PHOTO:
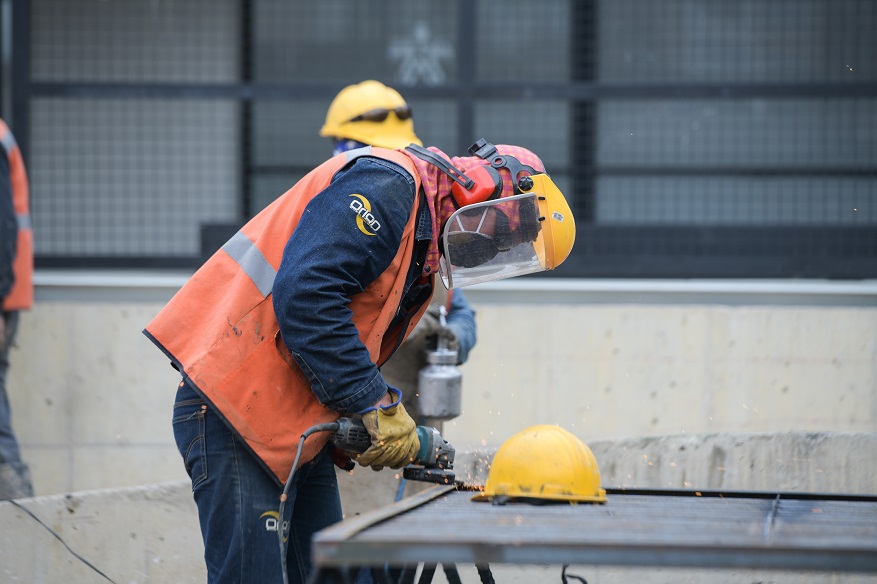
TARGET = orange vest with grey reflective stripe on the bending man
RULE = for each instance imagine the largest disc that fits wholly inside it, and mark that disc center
(220, 329)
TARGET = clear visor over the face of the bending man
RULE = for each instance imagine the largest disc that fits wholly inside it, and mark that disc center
(493, 240)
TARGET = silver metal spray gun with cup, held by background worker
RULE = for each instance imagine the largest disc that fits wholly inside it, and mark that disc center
(440, 381)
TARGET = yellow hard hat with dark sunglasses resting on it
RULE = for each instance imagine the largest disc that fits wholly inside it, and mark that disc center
(371, 113)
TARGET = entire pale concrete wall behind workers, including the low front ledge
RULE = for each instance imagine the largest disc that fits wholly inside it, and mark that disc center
(710, 385)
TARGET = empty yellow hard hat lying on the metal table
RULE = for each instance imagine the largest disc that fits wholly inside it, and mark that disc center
(545, 463)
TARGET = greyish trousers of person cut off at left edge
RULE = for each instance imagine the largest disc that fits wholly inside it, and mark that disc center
(14, 474)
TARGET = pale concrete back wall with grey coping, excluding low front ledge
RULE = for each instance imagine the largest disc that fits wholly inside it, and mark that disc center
(92, 397)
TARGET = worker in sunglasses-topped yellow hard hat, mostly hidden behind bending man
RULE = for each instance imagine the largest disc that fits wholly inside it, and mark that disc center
(372, 114)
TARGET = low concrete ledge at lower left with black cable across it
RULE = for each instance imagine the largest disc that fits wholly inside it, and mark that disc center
(133, 535)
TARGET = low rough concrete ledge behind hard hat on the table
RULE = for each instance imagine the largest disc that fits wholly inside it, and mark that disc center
(818, 462)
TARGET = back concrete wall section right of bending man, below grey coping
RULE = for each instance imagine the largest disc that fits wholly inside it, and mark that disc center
(617, 371)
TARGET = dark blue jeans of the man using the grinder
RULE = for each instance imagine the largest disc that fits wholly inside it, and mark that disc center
(238, 500)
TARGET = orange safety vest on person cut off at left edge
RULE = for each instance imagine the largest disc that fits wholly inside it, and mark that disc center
(20, 297)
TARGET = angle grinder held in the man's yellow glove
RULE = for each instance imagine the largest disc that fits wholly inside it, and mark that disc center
(433, 463)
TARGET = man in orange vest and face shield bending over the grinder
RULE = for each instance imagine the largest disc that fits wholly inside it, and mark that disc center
(286, 327)
